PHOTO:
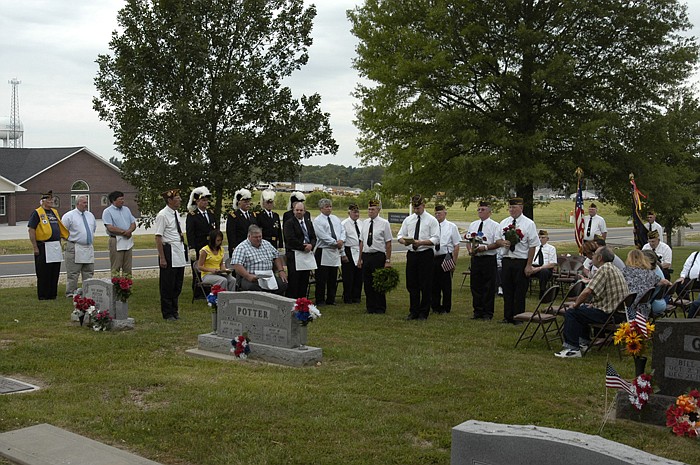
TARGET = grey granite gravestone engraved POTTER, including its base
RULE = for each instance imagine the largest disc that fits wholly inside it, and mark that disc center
(275, 335)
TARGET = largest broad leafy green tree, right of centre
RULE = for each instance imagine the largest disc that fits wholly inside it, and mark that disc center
(482, 98)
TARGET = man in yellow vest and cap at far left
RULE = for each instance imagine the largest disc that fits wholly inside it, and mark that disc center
(45, 233)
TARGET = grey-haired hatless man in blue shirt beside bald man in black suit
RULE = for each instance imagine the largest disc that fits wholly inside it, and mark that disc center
(330, 243)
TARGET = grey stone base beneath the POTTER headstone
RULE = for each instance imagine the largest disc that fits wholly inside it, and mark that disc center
(217, 346)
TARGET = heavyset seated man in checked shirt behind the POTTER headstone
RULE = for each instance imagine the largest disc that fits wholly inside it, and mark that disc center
(253, 262)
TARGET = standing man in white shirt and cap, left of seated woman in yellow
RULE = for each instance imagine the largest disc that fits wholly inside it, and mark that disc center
(171, 254)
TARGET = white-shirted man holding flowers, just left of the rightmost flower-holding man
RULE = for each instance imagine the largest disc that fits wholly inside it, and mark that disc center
(481, 243)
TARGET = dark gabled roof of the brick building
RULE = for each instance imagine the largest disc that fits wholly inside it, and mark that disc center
(21, 165)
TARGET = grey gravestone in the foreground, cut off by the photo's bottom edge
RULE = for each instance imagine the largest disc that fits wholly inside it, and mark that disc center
(483, 443)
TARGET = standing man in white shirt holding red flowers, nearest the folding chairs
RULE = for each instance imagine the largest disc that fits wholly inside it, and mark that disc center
(519, 240)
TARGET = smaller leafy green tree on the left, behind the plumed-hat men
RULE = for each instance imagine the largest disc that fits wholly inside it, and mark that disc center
(193, 94)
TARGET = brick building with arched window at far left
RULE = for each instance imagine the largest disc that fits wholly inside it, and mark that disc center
(67, 171)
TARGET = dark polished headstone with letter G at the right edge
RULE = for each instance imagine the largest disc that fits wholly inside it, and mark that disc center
(676, 355)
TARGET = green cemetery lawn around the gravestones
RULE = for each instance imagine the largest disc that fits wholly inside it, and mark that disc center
(387, 392)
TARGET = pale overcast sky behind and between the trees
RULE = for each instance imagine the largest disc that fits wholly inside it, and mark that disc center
(51, 47)
